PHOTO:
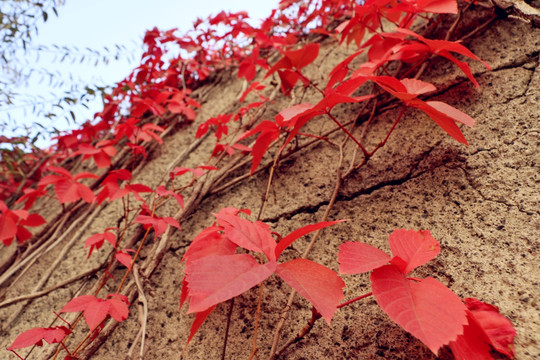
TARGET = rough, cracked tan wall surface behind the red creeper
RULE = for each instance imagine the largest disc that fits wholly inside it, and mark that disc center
(481, 202)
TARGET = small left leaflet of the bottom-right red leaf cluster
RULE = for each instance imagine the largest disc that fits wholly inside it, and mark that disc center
(357, 258)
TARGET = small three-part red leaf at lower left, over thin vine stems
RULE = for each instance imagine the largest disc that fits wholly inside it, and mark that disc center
(96, 309)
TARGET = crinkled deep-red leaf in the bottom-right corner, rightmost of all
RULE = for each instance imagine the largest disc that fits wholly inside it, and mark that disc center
(497, 327)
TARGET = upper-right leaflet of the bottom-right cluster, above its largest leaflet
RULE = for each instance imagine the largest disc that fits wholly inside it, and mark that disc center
(415, 248)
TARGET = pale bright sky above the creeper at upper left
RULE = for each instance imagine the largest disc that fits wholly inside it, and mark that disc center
(104, 23)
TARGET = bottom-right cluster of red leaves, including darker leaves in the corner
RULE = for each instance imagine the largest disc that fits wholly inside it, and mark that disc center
(425, 307)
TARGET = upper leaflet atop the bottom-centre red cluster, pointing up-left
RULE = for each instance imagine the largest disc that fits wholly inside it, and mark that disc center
(251, 236)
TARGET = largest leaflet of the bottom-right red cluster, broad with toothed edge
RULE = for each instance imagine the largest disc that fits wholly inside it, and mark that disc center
(424, 307)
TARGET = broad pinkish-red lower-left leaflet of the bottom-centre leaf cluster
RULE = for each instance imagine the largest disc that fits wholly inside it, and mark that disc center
(214, 279)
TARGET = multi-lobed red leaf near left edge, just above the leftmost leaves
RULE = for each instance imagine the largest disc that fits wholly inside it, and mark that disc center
(67, 187)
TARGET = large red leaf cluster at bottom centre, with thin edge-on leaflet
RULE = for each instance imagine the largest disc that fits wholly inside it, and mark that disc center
(215, 273)
